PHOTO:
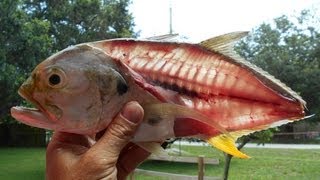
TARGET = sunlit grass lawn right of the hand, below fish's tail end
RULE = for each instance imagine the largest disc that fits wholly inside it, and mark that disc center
(264, 164)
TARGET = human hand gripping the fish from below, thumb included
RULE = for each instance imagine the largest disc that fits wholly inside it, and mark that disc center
(73, 156)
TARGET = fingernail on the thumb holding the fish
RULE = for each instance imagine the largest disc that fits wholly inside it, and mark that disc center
(133, 112)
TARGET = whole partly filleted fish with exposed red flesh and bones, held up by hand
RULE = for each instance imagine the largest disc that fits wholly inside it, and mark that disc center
(202, 90)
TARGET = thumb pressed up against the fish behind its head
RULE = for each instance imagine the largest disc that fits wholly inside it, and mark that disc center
(120, 130)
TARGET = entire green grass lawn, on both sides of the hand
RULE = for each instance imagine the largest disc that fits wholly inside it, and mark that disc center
(29, 163)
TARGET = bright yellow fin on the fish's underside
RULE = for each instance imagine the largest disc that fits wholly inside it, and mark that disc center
(227, 145)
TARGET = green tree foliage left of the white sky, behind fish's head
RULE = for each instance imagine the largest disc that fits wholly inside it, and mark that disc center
(31, 30)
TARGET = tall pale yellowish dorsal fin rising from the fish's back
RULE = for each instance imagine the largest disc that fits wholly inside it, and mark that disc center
(223, 43)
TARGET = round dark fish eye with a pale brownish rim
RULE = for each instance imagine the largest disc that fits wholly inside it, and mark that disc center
(56, 78)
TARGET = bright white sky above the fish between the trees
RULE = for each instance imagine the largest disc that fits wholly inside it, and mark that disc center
(201, 19)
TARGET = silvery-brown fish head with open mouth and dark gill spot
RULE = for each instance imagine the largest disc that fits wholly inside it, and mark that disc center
(69, 90)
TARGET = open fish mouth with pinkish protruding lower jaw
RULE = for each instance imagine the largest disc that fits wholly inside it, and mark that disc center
(37, 117)
